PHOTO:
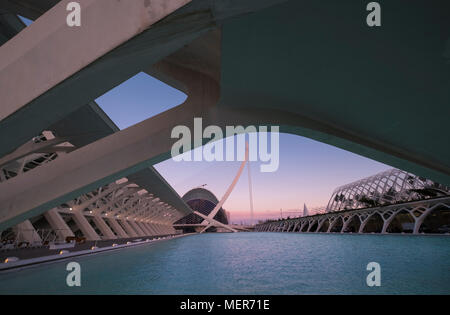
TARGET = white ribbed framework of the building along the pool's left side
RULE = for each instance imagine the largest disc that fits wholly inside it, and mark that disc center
(120, 209)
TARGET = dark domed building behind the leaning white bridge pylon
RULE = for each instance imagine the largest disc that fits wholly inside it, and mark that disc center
(203, 201)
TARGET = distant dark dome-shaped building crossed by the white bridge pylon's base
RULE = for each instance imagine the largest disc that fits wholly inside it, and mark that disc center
(203, 201)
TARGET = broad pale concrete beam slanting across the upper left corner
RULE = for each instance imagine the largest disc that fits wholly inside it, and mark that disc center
(47, 53)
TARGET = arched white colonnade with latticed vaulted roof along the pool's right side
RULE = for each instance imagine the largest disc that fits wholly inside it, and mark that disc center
(390, 202)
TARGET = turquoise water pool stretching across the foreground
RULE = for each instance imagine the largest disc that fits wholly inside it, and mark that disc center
(252, 263)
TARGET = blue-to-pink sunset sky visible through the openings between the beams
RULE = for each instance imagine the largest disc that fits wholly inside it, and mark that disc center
(308, 172)
